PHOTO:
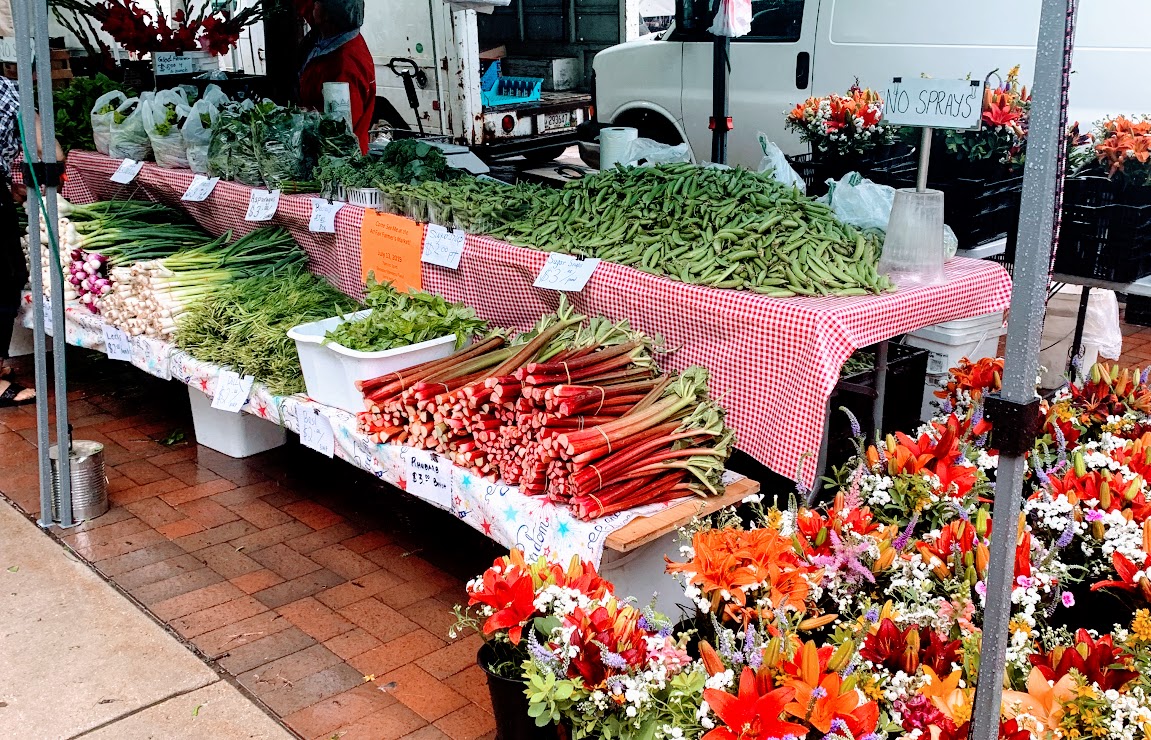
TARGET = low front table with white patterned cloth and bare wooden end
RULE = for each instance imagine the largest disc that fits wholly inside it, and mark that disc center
(629, 547)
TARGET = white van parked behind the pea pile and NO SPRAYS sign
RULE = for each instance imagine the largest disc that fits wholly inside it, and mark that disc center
(797, 49)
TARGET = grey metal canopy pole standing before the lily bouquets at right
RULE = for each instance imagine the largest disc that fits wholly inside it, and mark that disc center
(1042, 197)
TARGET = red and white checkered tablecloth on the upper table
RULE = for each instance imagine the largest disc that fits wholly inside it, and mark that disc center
(774, 362)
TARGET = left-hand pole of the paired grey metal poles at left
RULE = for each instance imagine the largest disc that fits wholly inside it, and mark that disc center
(22, 20)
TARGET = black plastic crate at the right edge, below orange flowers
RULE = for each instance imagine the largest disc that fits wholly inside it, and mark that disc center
(1103, 237)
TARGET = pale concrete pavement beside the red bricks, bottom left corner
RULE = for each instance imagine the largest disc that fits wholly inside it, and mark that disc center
(79, 660)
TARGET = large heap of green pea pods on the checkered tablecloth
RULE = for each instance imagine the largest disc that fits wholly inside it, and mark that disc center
(725, 228)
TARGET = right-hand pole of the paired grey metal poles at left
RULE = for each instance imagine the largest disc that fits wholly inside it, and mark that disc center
(59, 360)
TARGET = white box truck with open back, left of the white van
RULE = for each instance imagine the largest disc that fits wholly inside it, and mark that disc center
(438, 45)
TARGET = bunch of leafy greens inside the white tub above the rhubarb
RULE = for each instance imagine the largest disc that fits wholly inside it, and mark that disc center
(401, 319)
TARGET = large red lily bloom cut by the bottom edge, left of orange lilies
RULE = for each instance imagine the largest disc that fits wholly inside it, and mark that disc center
(751, 716)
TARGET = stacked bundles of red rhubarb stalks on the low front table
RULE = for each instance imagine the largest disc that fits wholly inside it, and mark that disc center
(575, 410)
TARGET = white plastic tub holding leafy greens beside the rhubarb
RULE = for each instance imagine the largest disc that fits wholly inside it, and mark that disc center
(331, 371)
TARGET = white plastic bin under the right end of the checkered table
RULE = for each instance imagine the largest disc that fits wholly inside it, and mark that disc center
(950, 342)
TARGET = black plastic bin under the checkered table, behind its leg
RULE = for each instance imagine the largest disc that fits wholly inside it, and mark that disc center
(908, 369)
